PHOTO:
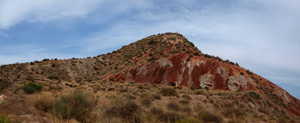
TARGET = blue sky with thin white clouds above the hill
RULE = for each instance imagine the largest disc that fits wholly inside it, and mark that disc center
(261, 35)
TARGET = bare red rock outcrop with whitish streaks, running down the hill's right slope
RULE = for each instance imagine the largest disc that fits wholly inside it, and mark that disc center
(199, 71)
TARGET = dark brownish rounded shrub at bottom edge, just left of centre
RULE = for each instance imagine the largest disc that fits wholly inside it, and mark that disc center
(129, 111)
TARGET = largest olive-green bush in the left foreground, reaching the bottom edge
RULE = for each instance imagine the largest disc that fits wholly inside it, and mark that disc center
(76, 105)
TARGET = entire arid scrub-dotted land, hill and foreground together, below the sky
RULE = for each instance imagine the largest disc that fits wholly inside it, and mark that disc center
(160, 78)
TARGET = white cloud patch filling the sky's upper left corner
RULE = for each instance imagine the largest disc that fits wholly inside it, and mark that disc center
(13, 12)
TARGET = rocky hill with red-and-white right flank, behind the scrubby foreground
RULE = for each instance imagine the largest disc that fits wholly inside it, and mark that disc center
(167, 59)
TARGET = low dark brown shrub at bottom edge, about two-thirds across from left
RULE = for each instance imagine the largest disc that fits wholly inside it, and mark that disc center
(209, 117)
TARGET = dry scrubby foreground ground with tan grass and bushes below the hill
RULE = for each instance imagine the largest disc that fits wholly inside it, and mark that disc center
(109, 102)
